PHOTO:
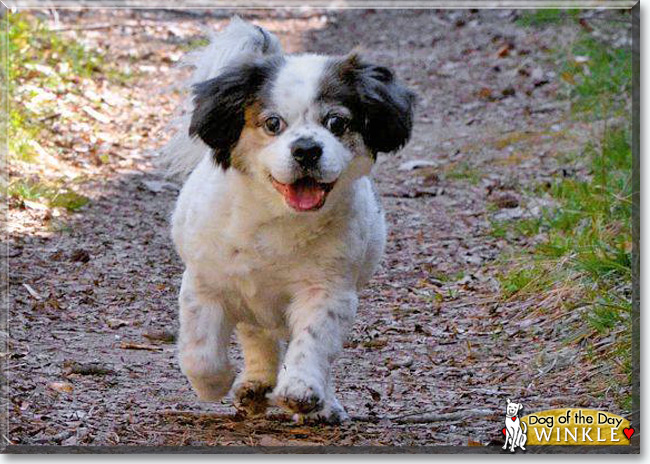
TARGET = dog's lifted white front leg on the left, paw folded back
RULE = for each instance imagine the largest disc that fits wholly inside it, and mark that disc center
(203, 344)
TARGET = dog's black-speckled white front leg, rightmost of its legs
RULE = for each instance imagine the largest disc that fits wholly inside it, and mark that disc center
(319, 321)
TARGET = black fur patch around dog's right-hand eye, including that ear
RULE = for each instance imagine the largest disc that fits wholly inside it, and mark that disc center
(382, 108)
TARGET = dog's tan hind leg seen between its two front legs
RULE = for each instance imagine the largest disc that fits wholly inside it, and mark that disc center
(261, 354)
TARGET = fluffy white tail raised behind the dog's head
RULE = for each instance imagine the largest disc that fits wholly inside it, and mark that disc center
(239, 41)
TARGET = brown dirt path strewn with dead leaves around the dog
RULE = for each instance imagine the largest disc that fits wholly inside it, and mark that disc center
(433, 335)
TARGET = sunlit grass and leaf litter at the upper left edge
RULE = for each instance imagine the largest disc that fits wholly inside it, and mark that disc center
(43, 68)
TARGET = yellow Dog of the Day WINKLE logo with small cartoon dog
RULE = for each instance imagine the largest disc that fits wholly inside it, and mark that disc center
(564, 426)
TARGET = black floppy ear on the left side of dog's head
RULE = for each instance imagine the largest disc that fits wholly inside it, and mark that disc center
(220, 104)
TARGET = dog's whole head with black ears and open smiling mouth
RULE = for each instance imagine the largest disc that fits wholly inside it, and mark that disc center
(302, 126)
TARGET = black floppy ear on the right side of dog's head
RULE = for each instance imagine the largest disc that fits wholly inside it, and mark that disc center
(386, 105)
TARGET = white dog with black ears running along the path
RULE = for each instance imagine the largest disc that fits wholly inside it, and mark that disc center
(278, 224)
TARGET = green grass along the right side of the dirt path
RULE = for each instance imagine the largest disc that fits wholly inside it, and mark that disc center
(580, 258)
